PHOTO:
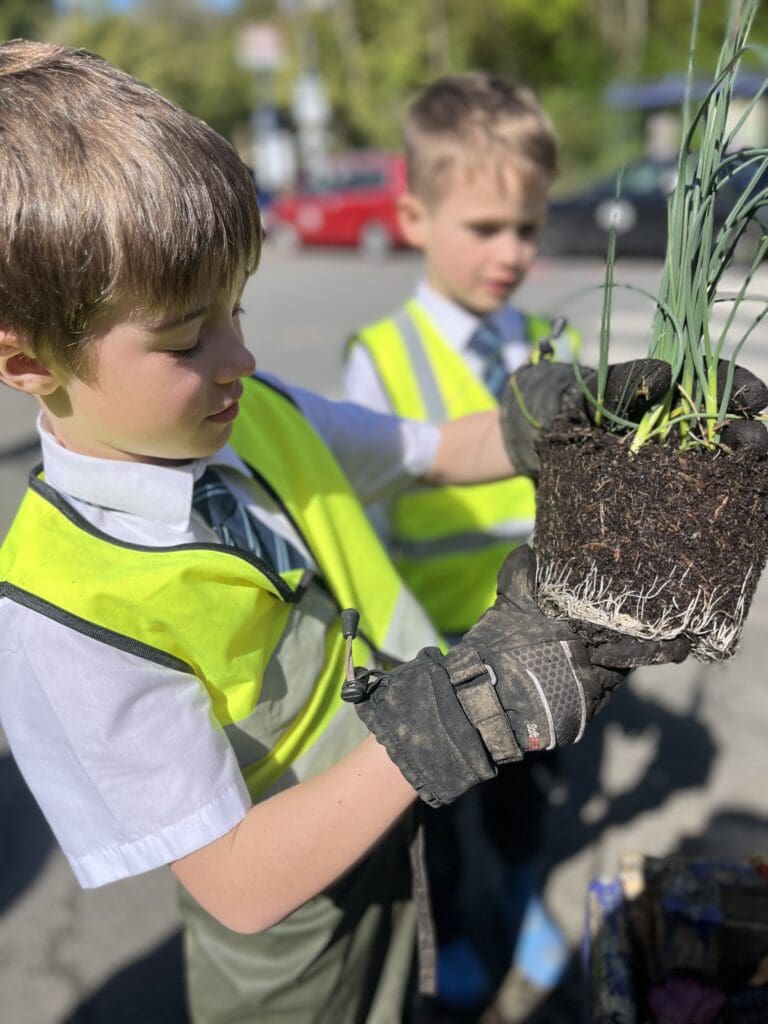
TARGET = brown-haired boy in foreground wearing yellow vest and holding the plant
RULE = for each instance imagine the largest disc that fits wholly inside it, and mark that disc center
(174, 582)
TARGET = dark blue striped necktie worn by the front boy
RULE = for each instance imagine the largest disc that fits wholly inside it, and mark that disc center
(237, 528)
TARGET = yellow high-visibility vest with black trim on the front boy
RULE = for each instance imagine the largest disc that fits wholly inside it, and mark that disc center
(268, 648)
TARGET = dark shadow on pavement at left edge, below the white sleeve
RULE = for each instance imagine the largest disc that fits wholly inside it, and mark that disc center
(26, 839)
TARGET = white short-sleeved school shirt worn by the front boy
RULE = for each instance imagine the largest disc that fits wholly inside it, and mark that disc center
(124, 756)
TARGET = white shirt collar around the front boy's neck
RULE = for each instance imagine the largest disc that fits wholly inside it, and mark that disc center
(160, 493)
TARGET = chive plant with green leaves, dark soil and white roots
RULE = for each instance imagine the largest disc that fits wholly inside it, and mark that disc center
(591, 574)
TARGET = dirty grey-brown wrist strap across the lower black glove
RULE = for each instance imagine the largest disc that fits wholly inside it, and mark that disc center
(475, 685)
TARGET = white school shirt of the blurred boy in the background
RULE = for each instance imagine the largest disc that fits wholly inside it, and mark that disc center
(457, 325)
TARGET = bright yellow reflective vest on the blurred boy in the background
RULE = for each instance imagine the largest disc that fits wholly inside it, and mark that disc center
(449, 543)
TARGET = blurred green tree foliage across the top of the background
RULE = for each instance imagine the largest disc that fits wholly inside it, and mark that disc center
(374, 55)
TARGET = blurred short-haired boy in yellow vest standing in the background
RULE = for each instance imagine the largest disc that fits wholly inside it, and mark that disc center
(482, 157)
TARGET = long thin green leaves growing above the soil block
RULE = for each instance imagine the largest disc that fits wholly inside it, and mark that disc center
(699, 253)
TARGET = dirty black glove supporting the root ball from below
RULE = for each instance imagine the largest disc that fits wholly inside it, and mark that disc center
(519, 681)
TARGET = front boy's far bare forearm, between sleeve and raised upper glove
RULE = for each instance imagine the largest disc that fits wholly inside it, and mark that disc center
(472, 451)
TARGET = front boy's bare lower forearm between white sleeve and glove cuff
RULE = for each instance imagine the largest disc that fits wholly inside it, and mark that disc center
(294, 845)
